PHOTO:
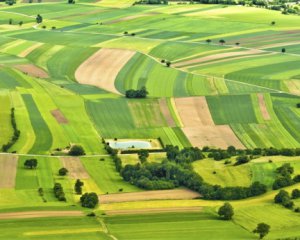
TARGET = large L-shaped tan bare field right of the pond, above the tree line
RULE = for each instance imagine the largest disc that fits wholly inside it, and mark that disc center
(199, 126)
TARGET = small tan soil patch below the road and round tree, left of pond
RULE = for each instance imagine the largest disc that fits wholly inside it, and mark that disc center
(75, 167)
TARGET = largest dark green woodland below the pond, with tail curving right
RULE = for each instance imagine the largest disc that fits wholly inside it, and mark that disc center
(177, 171)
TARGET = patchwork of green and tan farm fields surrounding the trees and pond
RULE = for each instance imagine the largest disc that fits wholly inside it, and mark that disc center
(66, 79)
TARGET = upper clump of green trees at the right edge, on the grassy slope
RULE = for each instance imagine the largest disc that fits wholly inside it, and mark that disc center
(284, 177)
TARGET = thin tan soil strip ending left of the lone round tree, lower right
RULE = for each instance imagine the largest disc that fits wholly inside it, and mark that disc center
(153, 210)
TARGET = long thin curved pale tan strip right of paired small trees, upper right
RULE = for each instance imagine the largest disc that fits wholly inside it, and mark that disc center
(216, 57)
